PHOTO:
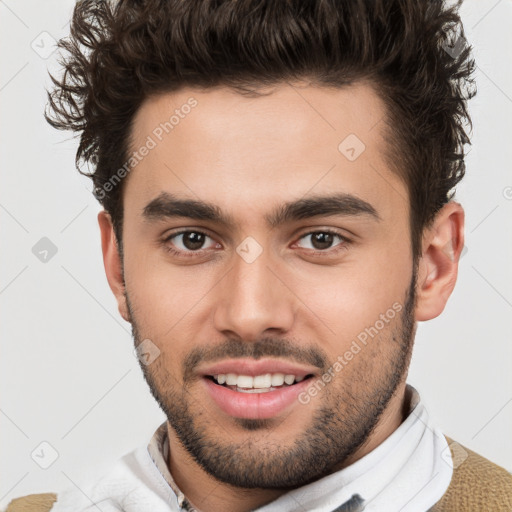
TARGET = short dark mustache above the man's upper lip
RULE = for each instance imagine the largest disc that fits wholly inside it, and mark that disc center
(266, 347)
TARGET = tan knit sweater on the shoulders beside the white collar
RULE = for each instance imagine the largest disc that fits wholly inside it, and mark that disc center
(477, 485)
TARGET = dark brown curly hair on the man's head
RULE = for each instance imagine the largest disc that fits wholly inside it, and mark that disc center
(413, 51)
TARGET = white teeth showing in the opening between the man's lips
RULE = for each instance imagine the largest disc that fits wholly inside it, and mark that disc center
(258, 384)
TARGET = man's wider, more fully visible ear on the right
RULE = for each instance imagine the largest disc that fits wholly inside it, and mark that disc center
(442, 245)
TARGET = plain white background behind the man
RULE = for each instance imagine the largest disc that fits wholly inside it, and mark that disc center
(67, 371)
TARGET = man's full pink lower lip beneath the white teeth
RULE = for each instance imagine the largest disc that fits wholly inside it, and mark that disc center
(254, 405)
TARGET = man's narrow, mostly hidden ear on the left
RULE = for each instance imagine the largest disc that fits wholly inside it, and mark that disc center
(112, 262)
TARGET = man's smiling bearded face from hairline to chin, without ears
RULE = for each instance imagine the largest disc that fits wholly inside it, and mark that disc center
(256, 292)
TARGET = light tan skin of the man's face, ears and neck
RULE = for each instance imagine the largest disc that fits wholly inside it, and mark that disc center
(249, 156)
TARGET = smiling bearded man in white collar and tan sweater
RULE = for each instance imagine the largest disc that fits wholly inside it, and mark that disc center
(277, 181)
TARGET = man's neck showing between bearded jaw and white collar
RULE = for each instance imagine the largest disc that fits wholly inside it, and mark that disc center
(204, 491)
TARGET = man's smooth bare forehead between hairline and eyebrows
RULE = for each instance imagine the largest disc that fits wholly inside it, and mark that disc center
(219, 146)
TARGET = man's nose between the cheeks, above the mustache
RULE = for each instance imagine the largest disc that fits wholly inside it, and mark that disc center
(253, 301)
